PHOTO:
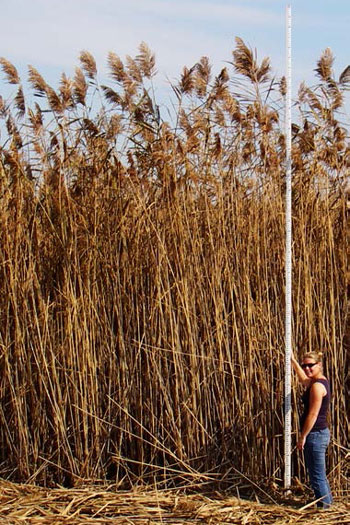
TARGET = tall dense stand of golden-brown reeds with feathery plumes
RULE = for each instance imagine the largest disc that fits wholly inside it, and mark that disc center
(142, 271)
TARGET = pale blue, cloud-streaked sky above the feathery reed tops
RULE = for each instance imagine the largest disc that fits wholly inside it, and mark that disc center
(49, 34)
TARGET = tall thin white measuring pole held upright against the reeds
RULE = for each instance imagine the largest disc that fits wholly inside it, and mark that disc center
(288, 268)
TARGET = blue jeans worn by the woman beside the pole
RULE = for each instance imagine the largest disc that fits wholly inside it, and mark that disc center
(315, 459)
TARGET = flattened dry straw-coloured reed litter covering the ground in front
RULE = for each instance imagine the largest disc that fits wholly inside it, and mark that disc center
(28, 504)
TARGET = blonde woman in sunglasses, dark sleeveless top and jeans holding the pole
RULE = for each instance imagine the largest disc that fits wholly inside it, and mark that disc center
(314, 434)
